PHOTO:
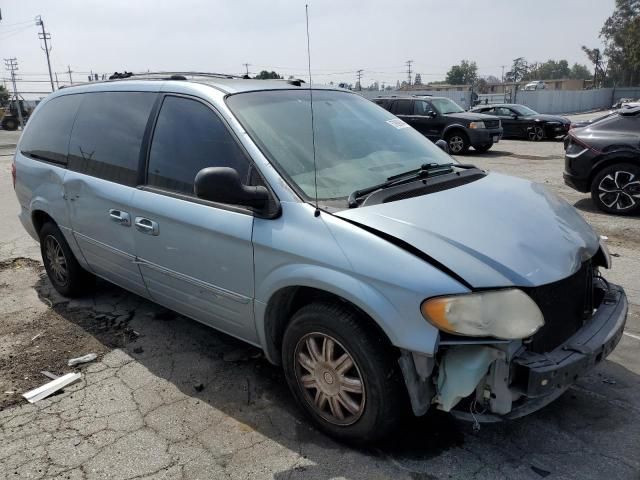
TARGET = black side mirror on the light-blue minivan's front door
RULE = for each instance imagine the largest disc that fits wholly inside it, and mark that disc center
(223, 185)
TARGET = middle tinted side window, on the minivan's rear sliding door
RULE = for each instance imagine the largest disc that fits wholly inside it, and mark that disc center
(107, 135)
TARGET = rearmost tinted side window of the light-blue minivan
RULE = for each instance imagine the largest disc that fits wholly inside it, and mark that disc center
(47, 137)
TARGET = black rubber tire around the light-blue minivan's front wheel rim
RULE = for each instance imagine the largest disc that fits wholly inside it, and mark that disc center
(364, 429)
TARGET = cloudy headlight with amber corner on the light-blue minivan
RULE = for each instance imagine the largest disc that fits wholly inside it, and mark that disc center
(506, 314)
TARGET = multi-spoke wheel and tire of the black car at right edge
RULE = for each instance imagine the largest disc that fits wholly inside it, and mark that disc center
(616, 189)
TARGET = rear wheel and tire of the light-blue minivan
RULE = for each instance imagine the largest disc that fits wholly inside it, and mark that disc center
(64, 271)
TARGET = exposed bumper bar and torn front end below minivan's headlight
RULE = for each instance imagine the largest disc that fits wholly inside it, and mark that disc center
(491, 379)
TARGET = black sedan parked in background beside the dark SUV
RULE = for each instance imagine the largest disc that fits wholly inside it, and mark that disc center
(520, 121)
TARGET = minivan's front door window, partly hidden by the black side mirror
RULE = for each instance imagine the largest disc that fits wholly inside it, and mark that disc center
(188, 137)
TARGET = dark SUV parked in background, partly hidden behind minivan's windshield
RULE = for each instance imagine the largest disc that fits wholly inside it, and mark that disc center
(439, 117)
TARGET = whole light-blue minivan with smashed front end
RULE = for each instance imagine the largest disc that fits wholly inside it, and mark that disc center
(378, 271)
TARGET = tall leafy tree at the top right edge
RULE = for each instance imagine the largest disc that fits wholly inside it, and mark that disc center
(621, 34)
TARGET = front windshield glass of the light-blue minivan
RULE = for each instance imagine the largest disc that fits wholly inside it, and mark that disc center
(358, 144)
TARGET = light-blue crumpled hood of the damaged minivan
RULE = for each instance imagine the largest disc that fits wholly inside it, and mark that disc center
(495, 232)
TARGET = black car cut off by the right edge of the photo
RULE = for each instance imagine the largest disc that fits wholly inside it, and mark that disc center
(604, 158)
